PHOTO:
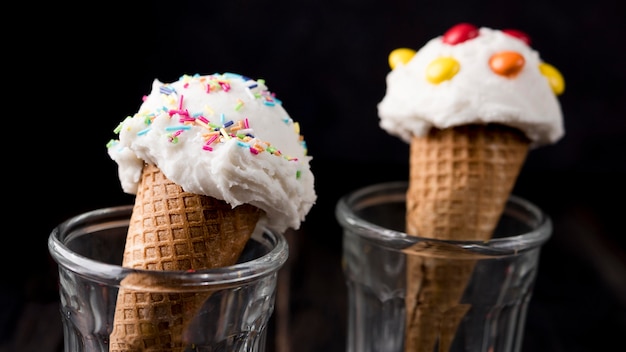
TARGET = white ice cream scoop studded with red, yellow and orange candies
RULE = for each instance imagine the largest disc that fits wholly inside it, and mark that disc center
(473, 75)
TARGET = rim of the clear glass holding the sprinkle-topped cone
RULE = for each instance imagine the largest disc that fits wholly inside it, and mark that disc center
(96, 270)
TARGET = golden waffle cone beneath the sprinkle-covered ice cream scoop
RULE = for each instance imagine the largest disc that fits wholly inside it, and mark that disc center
(171, 229)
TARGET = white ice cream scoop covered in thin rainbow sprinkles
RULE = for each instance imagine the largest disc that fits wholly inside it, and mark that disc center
(221, 135)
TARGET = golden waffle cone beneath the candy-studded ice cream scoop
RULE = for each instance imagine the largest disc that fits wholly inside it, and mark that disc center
(460, 180)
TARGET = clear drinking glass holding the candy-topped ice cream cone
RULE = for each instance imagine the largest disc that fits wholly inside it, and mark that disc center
(375, 251)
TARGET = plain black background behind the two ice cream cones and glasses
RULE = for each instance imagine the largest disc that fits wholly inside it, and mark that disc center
(73, 72)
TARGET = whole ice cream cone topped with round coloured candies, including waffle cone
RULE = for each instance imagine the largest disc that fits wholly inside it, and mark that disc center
(471, 103)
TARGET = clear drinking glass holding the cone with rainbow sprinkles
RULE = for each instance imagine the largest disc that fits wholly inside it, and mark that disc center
(88, 249)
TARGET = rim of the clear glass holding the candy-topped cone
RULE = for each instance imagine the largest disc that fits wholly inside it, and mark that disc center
(386, 237)
